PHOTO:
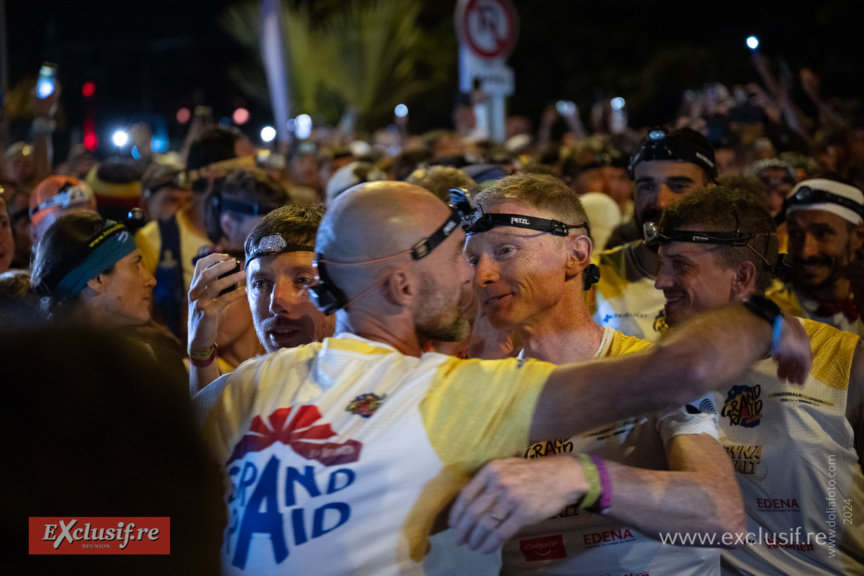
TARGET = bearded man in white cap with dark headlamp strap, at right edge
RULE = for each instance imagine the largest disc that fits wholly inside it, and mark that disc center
(824, 222)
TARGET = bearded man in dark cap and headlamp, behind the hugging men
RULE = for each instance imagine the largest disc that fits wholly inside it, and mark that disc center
(668, 167)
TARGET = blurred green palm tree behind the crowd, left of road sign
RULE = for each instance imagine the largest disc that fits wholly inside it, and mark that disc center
(365, 55)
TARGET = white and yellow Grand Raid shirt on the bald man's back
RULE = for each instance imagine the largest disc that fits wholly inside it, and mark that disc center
(341, 457)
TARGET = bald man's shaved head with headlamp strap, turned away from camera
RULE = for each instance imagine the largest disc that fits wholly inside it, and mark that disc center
(376, 225)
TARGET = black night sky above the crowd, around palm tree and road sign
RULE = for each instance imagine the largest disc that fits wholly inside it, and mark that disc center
(156, 56)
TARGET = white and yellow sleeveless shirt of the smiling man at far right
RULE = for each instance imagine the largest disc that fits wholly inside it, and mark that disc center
(794, 455)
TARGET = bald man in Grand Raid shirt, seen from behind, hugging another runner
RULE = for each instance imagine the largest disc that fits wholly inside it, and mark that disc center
(341, 456)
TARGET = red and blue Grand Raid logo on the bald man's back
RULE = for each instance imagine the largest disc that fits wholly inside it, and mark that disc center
(264, 500)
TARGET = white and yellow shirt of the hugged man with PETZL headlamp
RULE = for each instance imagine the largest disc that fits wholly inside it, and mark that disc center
(576, 542)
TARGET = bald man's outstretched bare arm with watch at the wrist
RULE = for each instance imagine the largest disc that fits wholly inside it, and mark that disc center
(702, 354)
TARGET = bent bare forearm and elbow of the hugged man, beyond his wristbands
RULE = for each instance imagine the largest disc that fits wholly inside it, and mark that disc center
(698, 495)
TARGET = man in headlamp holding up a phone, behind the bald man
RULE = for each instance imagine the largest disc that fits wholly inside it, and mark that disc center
(278, 269)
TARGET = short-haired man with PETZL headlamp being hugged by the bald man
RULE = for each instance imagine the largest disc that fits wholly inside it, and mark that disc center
(530, 273)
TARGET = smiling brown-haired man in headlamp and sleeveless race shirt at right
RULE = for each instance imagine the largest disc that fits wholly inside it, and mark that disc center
(796, 449)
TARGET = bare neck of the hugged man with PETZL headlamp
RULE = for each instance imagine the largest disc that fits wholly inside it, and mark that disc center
(562, 336)
